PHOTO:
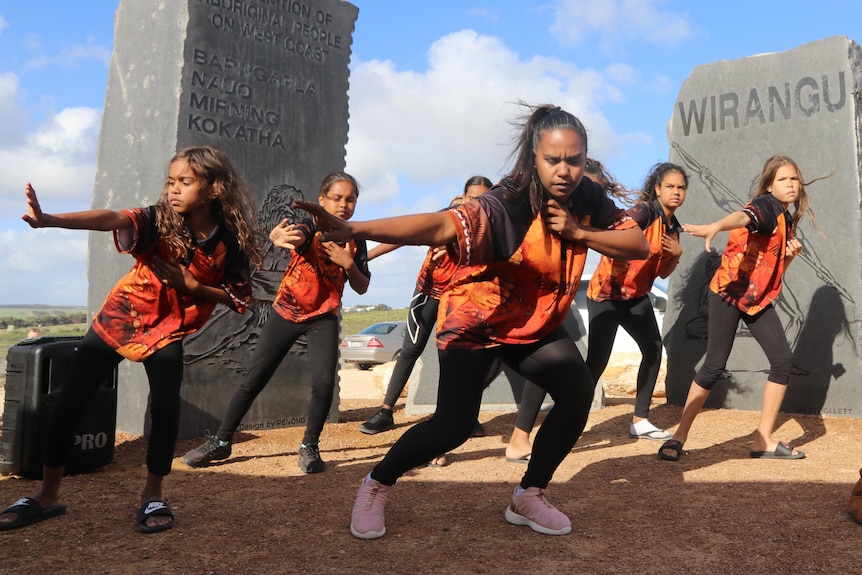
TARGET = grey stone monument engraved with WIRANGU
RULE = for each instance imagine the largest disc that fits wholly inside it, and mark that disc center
(729, 117)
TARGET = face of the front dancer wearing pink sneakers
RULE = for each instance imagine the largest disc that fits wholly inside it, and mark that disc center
(560, 159)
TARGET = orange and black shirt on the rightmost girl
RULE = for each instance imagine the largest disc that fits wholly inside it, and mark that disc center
(752, 265)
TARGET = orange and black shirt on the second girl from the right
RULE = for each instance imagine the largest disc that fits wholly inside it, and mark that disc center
(621, 280)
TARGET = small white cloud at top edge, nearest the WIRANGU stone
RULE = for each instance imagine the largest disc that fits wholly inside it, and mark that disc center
(614, 24)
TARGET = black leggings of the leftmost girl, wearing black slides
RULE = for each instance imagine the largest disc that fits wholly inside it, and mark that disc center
(94, 361)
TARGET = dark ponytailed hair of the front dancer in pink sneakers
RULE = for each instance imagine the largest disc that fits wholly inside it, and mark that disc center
(533, 123)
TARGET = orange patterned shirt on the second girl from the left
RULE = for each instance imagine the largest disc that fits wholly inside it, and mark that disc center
(312, 284)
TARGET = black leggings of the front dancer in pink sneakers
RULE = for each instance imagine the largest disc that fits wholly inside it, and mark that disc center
(554, 363)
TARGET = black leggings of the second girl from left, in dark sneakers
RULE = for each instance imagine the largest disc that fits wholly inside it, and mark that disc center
(276, 338)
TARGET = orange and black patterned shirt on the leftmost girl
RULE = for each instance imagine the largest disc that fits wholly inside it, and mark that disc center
(141, 315)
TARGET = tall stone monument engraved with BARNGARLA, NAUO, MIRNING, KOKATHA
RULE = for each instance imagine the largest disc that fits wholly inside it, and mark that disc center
(266, 82)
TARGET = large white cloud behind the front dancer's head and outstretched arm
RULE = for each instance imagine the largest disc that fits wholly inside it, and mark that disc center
(453, 120)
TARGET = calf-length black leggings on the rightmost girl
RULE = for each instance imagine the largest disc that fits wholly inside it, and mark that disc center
(766, 329)
